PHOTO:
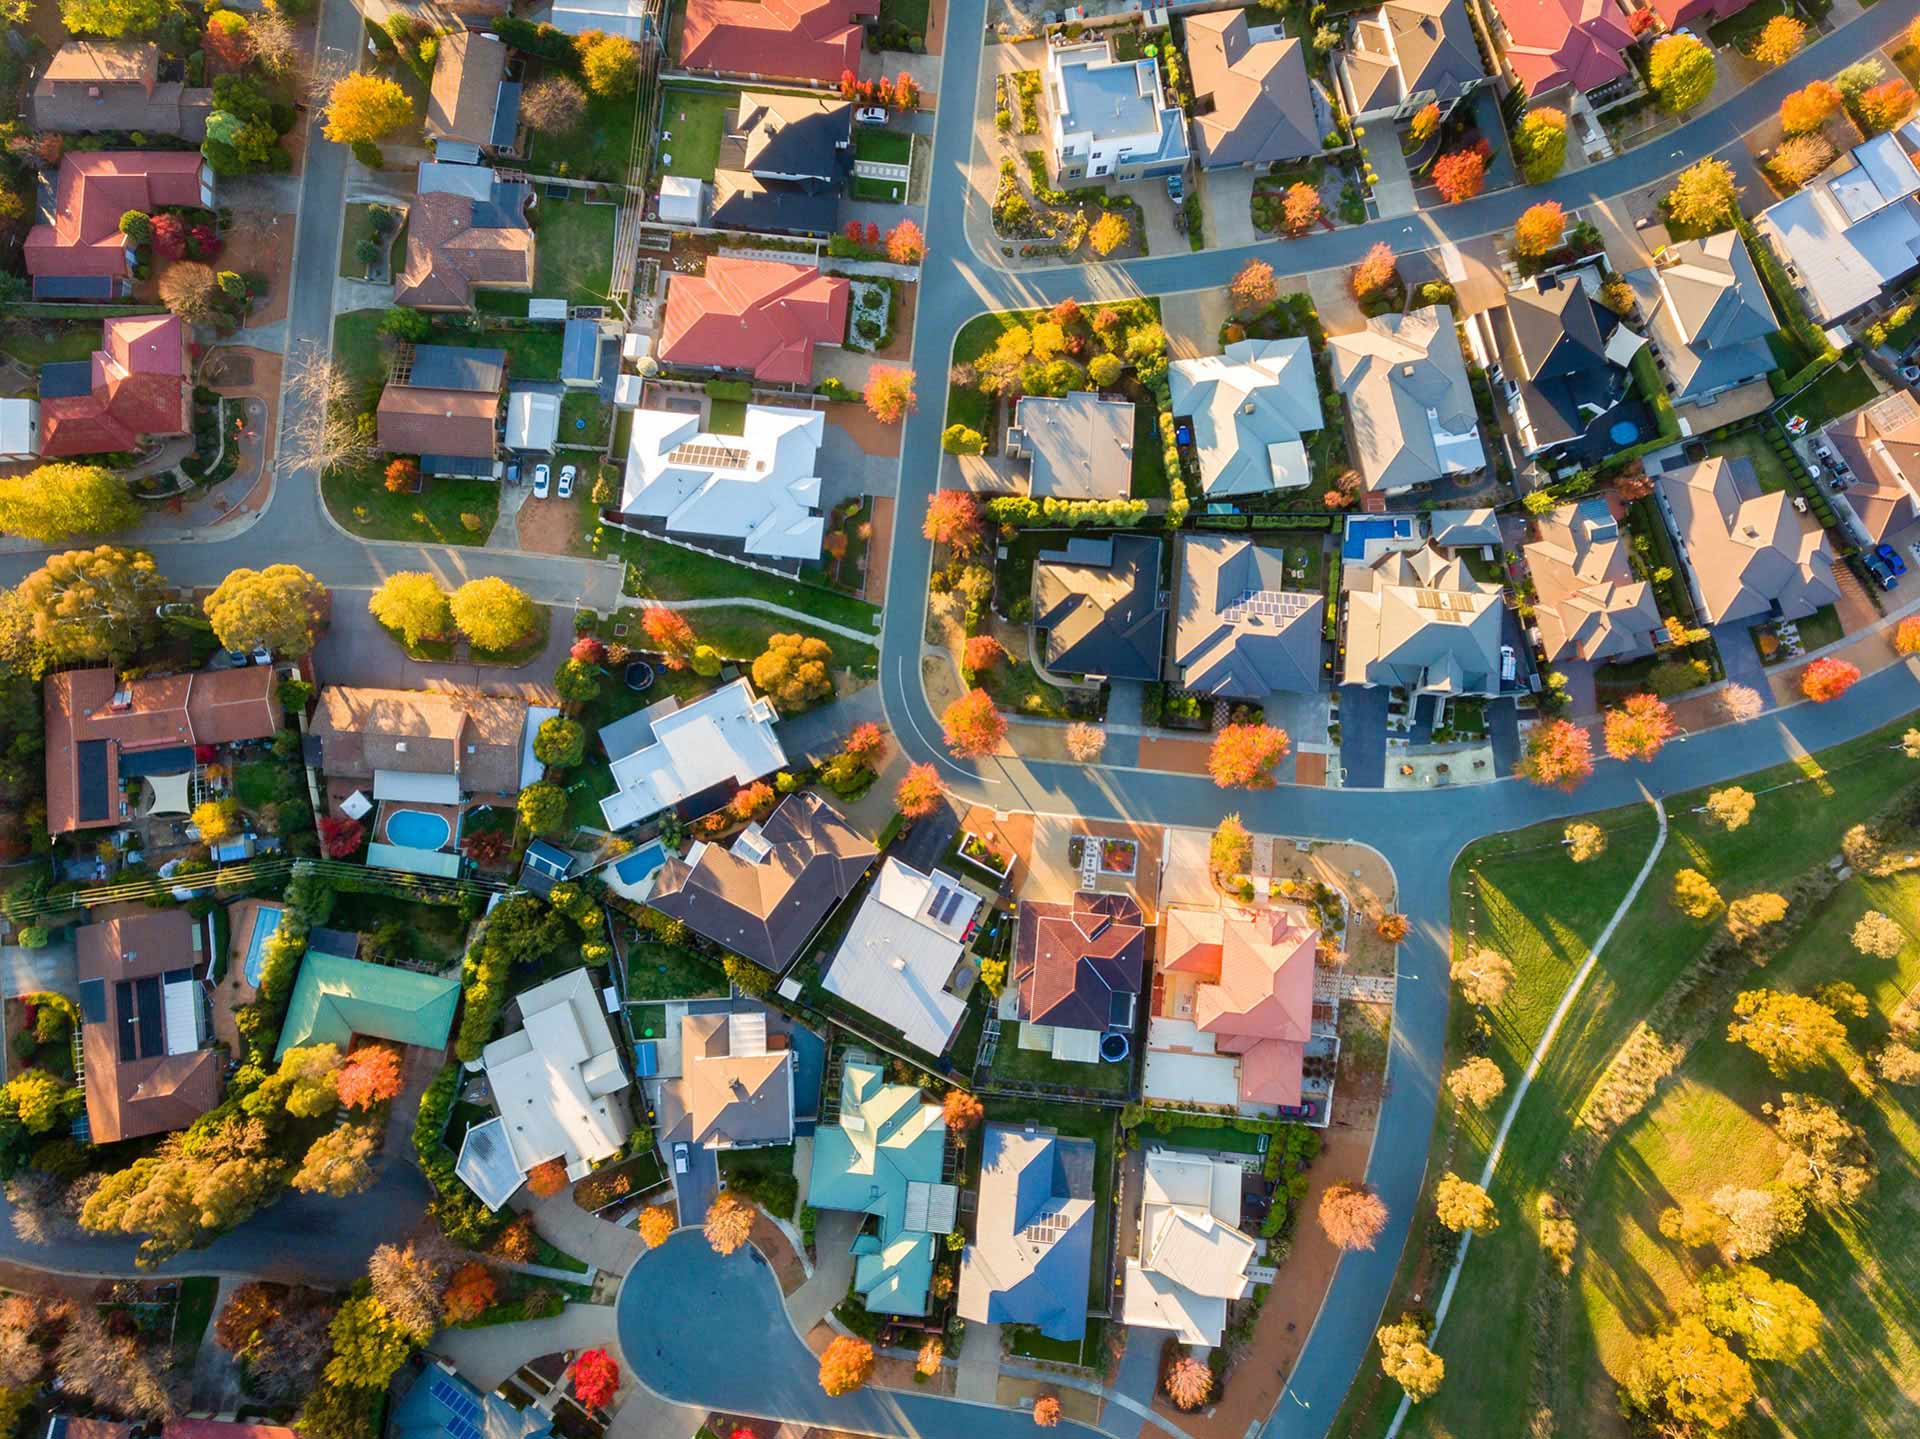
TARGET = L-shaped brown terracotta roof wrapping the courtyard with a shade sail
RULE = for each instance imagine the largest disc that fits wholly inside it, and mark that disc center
(208, 708)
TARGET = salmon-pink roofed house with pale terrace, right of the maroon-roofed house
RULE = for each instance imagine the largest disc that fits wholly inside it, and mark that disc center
(1234, 1008)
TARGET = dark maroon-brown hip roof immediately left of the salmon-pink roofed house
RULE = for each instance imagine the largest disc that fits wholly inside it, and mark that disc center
(1072, 960)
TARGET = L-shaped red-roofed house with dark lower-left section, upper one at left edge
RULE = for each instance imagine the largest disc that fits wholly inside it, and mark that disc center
(78, 251)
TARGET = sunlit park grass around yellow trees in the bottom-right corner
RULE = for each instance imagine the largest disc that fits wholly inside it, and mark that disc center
(1706, 1131)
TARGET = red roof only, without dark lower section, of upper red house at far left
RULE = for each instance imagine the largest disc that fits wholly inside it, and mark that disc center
(93, 193)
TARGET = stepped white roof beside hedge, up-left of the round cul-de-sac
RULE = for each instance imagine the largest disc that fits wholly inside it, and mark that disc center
(542, 1077)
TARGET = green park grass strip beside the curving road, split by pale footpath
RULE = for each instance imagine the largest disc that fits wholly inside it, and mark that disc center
(1520, 894)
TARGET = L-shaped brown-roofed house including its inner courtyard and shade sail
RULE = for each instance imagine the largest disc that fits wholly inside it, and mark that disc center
(103, 735)
